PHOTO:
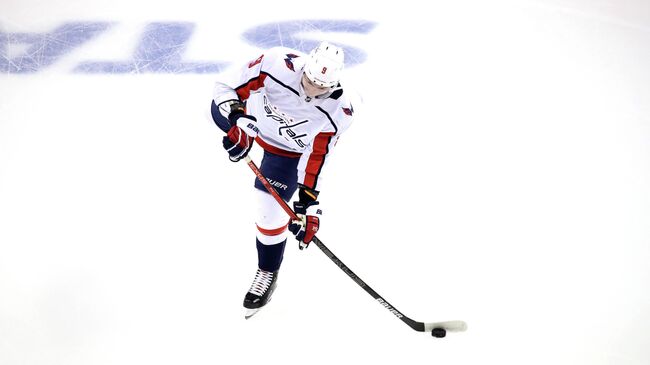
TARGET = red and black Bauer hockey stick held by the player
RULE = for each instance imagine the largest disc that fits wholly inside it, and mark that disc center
(437, 329)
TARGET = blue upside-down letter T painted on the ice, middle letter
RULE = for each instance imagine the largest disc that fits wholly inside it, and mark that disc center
(160, 50)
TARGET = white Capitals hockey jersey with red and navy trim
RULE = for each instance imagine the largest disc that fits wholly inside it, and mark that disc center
(290, 123)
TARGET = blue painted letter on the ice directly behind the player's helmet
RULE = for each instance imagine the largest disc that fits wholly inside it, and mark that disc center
(292, 34)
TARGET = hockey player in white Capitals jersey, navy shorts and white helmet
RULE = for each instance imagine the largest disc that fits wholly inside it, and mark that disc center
(293, 106)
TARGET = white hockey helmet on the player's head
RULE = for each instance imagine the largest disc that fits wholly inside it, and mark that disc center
(324, 65)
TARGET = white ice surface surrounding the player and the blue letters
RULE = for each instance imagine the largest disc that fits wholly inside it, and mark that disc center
(499, 173)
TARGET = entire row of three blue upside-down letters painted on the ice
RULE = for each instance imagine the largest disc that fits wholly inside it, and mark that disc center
(161, 46)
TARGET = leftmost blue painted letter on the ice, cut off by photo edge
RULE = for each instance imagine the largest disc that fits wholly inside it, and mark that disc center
(44, 49)
